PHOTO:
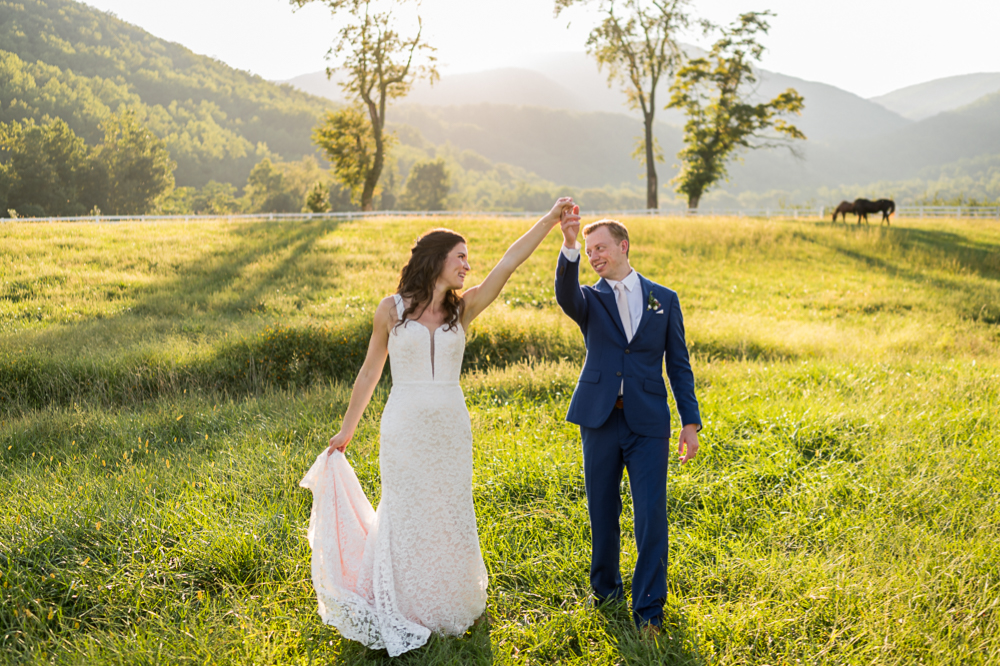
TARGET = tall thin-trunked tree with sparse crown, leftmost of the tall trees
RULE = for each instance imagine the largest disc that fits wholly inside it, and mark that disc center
(378, 65)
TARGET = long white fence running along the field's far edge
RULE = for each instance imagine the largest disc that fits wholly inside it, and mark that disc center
(821, 212)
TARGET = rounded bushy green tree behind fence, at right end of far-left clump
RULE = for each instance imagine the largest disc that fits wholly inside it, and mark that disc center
(136, 163)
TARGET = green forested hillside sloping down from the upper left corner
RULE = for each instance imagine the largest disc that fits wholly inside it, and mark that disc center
(67, 60)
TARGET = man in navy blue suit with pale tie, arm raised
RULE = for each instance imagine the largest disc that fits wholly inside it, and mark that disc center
(629, 325)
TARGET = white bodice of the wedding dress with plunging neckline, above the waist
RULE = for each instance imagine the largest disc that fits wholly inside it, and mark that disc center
(417, 354)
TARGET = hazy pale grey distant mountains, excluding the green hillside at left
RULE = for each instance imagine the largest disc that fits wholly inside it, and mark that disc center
(519, 114)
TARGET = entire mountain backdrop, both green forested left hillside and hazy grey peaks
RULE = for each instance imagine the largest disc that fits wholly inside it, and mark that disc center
(554, 118)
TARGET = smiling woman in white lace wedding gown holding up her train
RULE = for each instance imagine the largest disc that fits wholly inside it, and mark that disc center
(388, 578)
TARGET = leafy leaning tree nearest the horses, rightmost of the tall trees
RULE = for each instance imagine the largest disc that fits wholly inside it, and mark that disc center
(714, 94)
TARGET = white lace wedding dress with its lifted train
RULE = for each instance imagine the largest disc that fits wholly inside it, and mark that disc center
(388, 578)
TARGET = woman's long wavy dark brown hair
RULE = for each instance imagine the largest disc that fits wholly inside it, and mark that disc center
(417, 280)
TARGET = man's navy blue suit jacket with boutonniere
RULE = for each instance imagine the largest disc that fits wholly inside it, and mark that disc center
(612, 359)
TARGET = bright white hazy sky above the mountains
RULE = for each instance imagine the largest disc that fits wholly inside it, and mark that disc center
(868, 47)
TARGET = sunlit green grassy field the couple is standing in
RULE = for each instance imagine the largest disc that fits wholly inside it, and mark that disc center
(164, 387)
